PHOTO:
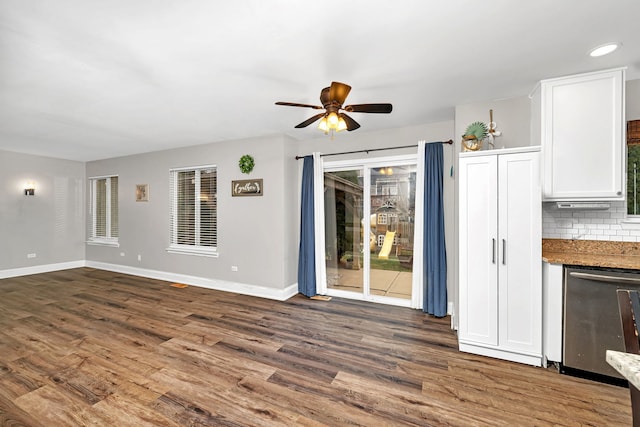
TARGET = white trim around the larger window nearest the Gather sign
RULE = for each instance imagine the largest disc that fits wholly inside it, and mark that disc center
(177, 248)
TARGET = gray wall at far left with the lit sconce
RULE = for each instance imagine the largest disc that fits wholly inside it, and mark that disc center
(50, 224)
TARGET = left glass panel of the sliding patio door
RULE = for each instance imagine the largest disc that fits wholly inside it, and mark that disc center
(343, 204)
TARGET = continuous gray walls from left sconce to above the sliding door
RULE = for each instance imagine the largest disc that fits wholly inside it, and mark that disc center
(259, 235)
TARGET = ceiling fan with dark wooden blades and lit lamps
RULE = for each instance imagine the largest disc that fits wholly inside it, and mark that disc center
(334, 118)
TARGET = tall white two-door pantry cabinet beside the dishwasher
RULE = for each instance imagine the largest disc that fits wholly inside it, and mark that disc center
(500, 239)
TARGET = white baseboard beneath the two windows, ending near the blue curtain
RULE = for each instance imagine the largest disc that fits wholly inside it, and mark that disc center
(219, 285)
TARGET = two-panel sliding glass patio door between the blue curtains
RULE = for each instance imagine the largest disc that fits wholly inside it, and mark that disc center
(369, 231)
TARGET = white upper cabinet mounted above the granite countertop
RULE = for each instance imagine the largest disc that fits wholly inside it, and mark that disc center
(579, 121)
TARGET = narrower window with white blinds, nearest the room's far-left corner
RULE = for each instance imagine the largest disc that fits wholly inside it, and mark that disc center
(103, 210)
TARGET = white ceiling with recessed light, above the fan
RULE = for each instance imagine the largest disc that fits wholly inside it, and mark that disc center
(91, 79)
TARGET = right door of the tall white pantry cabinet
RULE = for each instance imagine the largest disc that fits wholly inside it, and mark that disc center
(520, 244)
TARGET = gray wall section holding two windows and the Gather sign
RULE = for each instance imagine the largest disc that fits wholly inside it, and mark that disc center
(254, 233)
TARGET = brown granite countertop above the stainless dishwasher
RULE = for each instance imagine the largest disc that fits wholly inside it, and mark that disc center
(592, 253)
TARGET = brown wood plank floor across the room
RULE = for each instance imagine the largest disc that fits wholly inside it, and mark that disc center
(90, 347)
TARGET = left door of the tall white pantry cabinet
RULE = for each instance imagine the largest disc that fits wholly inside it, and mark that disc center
(478, 292)
